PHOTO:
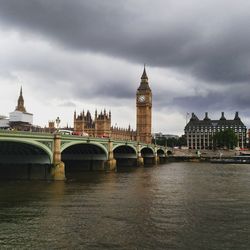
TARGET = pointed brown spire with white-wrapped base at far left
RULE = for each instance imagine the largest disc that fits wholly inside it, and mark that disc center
(20, 119)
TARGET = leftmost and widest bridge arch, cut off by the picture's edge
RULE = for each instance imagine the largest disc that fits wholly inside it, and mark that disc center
(21, 159)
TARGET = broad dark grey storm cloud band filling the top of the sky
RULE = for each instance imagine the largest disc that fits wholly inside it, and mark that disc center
(210, 40)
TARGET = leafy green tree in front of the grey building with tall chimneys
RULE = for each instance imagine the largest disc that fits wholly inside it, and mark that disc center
(226, 138)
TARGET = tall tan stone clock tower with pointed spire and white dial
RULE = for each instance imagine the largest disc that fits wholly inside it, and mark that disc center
(144, 110)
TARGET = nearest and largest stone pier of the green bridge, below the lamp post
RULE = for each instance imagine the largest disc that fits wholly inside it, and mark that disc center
(58, 168)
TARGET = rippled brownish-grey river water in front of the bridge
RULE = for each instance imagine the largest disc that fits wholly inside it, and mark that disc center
(171, 206)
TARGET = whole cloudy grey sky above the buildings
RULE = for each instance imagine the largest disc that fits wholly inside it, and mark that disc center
(89, 54)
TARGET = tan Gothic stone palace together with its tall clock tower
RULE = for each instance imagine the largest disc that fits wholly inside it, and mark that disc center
(100, 125)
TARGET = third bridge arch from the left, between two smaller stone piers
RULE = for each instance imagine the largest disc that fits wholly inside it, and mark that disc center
(125, 155)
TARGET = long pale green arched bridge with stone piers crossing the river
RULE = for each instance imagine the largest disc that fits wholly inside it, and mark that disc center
(53, 153)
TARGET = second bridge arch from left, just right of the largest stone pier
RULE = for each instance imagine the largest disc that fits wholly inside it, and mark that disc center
(81, 156)
